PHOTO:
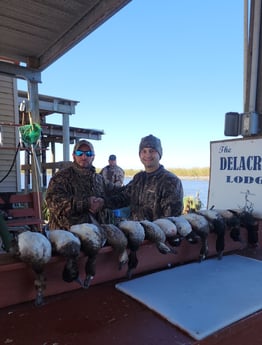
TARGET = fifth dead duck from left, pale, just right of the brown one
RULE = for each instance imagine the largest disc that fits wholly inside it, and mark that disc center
(135, 234)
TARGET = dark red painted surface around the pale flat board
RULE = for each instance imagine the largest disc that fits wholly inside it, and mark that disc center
(102, 315)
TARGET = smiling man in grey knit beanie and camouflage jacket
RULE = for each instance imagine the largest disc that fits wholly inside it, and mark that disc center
(153, 193)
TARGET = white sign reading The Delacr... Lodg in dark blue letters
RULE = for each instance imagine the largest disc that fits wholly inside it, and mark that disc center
(236, 175)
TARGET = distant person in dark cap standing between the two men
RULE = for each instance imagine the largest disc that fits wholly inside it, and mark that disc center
(112, 172)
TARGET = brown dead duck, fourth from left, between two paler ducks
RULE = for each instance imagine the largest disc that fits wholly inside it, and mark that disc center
(118, 241)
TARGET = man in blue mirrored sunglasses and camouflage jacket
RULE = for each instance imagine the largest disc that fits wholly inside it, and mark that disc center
(71, 196)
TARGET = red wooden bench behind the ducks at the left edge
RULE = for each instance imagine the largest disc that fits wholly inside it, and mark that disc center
(22, 211)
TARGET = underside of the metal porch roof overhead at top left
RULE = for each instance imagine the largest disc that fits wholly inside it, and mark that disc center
(35, 33)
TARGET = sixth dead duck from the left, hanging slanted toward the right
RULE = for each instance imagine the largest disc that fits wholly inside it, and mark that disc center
(155, 234)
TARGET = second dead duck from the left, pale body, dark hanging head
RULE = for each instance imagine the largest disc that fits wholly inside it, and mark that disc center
(66, 244)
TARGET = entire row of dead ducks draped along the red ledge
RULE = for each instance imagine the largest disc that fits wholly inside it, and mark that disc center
(167, 233)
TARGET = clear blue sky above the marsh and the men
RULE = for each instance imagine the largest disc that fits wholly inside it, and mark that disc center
(171, 68)
